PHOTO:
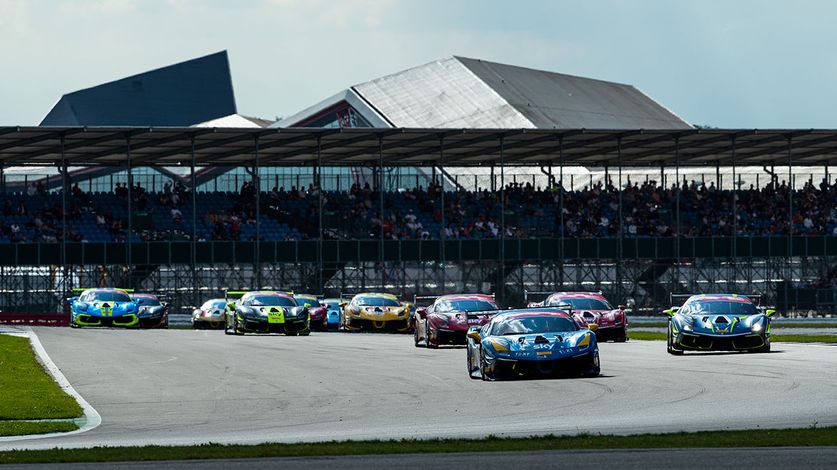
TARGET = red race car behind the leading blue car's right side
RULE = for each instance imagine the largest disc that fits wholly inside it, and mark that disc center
(591, 307)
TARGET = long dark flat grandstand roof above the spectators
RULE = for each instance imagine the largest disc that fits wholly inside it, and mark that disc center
(172, 146)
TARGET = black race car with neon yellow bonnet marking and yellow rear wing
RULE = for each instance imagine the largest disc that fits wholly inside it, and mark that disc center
(265, 312)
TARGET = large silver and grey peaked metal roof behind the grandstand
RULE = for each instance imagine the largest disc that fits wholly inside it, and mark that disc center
(468, 93)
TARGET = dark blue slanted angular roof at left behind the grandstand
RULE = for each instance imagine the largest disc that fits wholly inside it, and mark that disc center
(182, 94)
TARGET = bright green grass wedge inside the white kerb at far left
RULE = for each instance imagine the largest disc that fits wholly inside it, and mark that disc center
(27, 391)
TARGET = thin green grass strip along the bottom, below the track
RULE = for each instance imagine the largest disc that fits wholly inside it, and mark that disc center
(811, 436)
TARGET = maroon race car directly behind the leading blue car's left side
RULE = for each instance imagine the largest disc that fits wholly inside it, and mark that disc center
(447, 319)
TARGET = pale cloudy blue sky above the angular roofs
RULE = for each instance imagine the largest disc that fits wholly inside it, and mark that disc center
(729, 64)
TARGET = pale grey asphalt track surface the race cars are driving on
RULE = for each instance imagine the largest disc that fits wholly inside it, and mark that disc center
(176, 387)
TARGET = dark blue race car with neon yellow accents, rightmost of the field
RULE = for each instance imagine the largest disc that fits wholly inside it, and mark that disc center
(718, 322)
